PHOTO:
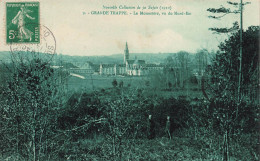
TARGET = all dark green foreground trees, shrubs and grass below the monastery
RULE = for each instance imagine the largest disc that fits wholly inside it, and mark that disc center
(41, 120)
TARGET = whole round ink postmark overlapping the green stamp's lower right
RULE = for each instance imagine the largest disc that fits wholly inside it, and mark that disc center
(25, 50)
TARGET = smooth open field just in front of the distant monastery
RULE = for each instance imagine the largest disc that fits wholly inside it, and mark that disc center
(97, 82)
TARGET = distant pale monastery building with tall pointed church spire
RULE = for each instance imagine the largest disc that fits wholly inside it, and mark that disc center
(129, 67)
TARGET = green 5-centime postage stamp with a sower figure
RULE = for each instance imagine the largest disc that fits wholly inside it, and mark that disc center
(22, 22)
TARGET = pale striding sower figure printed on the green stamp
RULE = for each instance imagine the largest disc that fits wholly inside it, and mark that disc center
(19, 19)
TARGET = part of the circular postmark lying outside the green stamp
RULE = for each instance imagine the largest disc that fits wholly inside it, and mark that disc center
(44, 50)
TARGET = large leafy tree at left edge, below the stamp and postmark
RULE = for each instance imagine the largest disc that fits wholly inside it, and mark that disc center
(29, 102)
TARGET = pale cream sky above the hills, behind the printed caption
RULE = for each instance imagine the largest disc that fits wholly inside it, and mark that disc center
(79, 32)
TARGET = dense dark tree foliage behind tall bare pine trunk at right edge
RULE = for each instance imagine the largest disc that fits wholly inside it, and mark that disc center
(225, 66)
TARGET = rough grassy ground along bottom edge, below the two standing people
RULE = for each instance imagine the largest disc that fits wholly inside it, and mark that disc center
(179, 148)
